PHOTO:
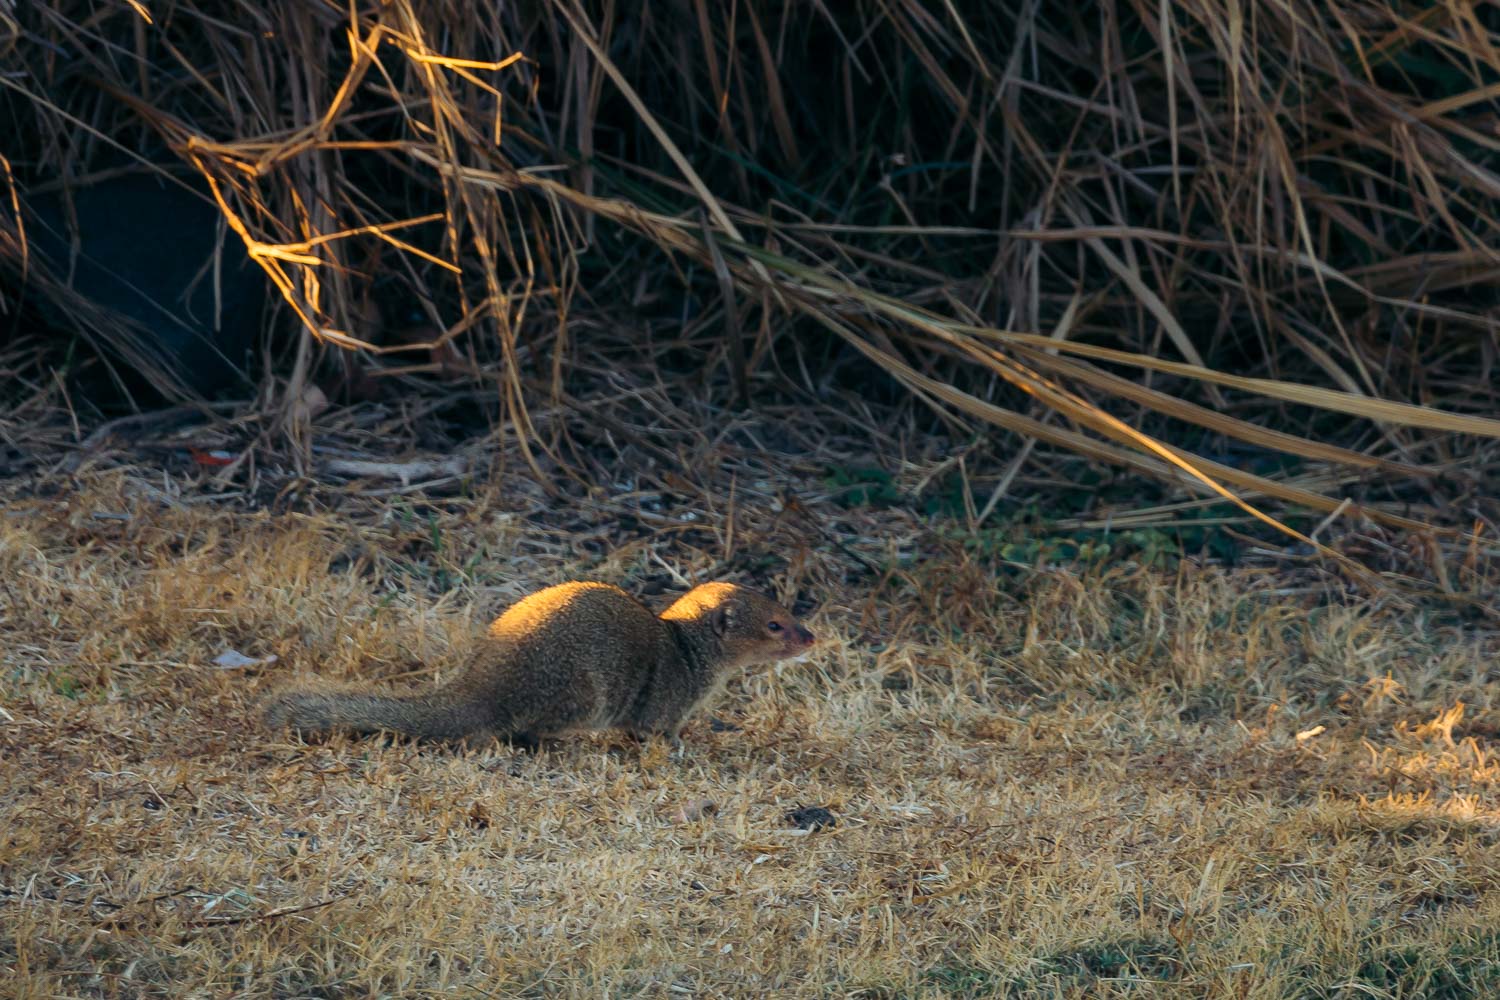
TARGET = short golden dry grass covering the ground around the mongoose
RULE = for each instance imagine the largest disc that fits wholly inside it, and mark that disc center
(1073, 782)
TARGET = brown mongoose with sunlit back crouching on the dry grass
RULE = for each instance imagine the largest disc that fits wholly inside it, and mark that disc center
(572, 657)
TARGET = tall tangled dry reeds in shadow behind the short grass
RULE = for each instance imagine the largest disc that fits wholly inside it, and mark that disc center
(1229, 250)
